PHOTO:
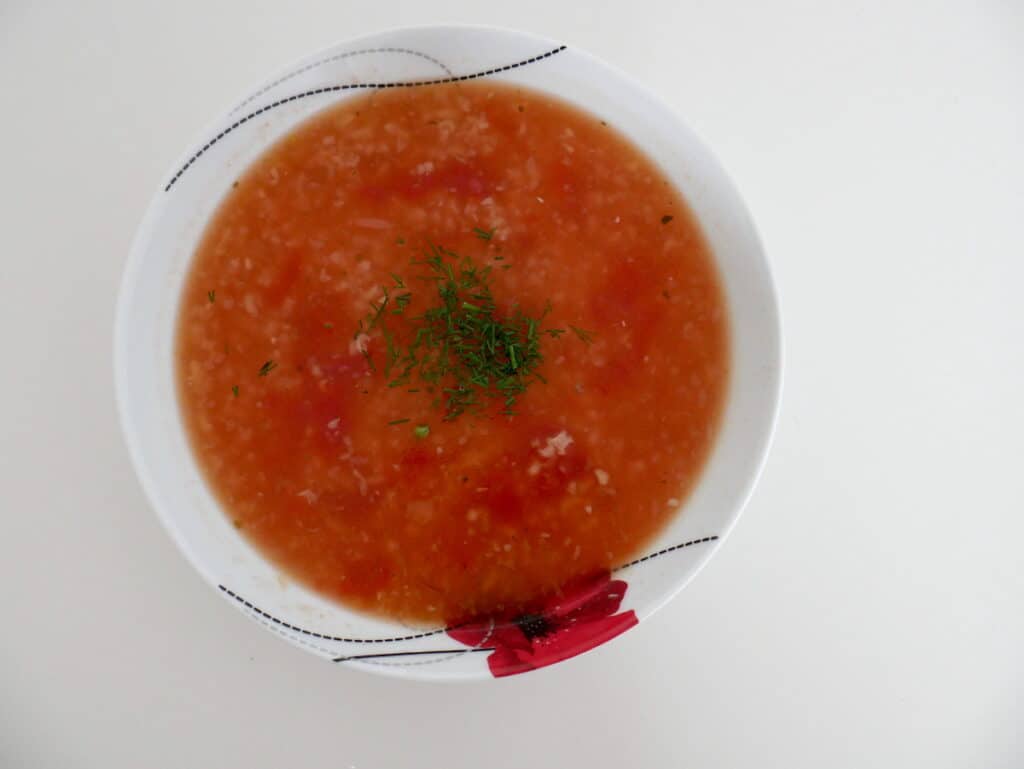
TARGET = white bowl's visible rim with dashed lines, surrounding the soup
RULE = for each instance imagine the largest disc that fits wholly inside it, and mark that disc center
(195, 187)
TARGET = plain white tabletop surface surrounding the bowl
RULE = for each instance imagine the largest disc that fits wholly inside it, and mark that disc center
(869, 610)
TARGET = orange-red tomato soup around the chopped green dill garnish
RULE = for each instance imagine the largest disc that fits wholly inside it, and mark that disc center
(370, 490)
